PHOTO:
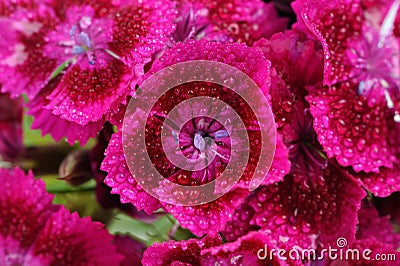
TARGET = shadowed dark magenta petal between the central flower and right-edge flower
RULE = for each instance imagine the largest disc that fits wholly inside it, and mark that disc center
(297, 63)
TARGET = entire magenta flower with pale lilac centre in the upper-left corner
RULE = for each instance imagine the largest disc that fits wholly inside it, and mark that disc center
(94, 54)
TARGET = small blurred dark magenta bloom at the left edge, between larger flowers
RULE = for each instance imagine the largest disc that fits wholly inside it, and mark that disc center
(11, 146)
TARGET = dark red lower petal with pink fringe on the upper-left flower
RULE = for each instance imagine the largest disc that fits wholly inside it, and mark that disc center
(83, 94)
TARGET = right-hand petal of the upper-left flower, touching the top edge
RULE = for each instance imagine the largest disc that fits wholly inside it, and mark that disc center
(140, 30)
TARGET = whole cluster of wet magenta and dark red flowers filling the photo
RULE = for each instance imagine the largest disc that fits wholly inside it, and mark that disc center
(330, 79)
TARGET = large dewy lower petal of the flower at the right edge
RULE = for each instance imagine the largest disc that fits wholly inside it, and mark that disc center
(350, 130)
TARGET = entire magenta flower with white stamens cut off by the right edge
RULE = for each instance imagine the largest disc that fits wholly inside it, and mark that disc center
(356, 111)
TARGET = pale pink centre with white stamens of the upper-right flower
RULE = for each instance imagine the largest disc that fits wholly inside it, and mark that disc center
(375, 58)
